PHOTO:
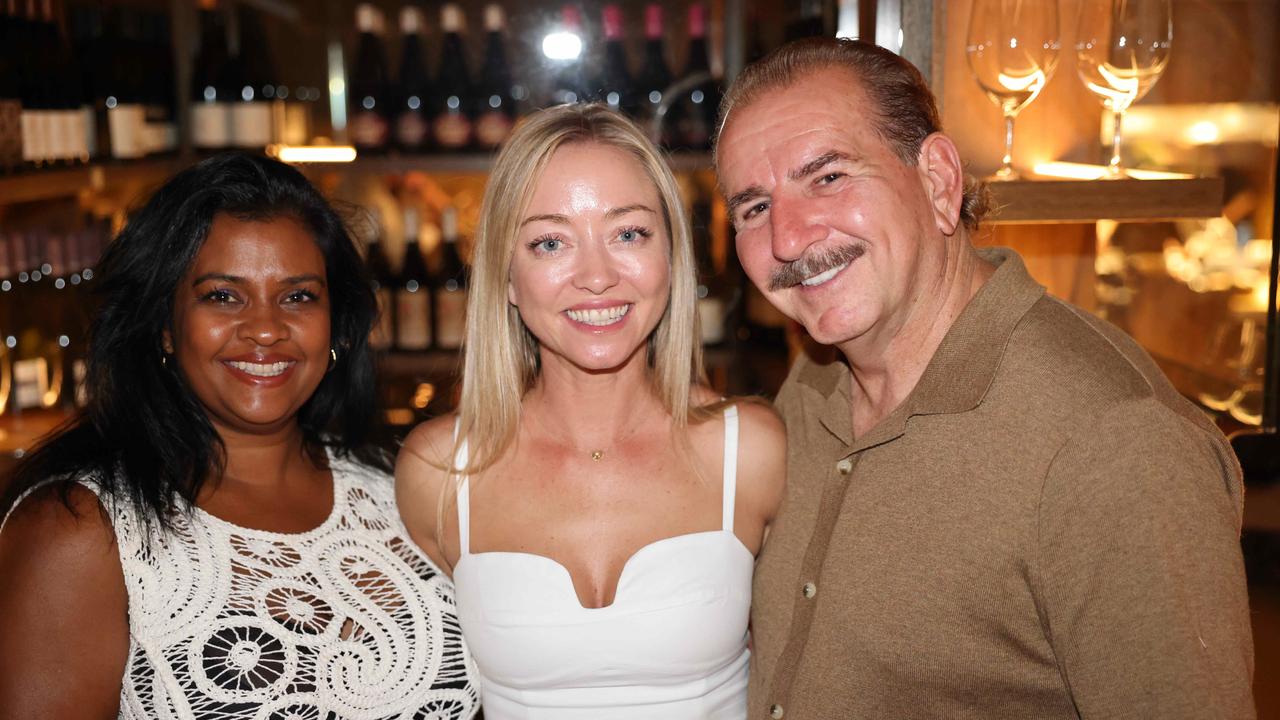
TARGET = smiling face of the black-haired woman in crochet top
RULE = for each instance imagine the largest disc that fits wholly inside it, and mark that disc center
(252, 323)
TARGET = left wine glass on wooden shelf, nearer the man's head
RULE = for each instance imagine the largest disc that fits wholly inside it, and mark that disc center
(1013, 51)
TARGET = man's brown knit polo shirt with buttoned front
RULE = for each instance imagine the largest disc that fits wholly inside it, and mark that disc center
(1044, 528)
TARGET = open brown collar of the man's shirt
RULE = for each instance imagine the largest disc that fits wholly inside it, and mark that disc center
(961, 371)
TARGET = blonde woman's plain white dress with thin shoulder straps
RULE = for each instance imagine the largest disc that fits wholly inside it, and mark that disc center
(671, 646)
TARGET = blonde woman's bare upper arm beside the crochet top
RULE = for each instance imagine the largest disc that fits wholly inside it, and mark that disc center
(420, 484)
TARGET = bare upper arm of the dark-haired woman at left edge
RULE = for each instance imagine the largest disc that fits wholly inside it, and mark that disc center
(65, 630)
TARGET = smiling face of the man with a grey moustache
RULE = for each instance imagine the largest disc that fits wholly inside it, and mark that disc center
(836, 231)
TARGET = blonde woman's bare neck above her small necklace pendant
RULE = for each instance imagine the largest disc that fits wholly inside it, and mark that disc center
(595, 409)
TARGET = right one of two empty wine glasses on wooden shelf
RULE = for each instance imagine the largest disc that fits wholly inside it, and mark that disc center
(1122, 48)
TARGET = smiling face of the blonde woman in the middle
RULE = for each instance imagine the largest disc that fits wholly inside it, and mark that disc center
(591, 271)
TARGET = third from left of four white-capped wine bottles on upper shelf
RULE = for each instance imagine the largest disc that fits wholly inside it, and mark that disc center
(452, 106)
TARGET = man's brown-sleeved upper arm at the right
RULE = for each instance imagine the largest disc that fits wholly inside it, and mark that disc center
(1140, 575)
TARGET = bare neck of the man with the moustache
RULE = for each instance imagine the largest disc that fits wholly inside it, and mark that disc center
(889, 362)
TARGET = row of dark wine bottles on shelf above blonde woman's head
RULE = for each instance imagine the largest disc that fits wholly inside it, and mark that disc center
(451, 111)
